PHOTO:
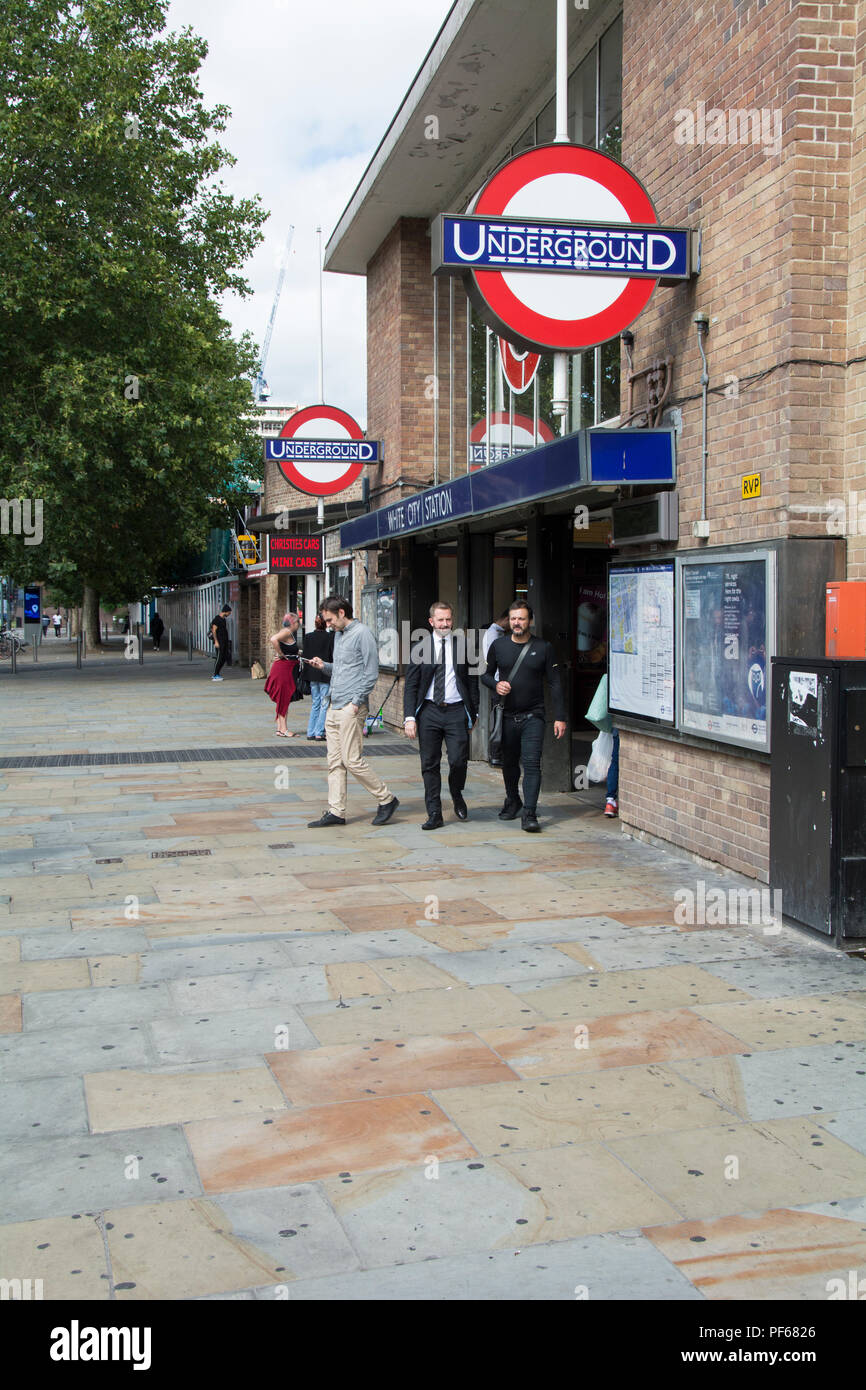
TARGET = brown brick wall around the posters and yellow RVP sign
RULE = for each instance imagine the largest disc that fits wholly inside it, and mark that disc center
(781, 226)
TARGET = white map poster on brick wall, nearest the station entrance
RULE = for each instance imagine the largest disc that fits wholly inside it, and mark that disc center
(642, 637)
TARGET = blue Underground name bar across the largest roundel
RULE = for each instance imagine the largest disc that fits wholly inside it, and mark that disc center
(508, 244)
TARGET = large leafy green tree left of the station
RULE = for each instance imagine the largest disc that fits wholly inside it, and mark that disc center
(122, 389)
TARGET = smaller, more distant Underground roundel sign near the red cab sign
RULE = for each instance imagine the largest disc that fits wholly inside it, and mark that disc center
(327, 451)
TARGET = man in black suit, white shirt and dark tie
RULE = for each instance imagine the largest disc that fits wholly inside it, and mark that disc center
(441, 703)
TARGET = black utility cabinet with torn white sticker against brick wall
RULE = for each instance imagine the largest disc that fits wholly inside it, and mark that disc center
(818, 794)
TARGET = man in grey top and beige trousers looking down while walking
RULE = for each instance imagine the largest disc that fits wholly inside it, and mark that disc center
(354, 673)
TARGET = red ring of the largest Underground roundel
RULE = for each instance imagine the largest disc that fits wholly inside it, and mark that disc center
(521, 322)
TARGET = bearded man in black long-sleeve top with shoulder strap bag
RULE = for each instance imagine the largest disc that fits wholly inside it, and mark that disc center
(523, 729)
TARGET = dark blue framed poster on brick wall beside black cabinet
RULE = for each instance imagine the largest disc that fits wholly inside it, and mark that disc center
(726, 650)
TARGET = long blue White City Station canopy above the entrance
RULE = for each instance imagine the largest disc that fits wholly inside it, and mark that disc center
(582, 464)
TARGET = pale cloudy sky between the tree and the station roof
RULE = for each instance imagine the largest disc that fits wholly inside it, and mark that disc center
(312, 88)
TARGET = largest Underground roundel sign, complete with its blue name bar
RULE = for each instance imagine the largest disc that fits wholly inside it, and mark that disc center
(561, 250)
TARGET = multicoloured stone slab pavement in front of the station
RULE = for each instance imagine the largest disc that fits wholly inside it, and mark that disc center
(380, 1064)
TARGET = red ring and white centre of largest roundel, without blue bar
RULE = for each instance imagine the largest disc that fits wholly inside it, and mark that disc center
(558, 312)
